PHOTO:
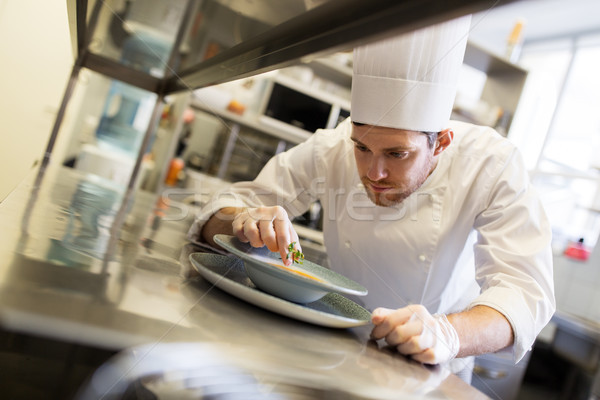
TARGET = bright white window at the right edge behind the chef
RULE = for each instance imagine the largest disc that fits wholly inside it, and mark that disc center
(568, 173)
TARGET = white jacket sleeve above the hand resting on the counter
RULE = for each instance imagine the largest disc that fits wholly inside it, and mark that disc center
(513, 255)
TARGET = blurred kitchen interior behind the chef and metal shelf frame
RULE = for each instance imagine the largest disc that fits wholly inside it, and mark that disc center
(531, 71)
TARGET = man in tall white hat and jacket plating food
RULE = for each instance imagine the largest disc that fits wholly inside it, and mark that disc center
(437, 218)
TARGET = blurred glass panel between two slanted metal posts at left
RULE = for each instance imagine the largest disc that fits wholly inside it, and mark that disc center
(106, 124)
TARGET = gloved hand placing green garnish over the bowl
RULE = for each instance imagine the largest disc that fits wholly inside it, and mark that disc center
(266, 226)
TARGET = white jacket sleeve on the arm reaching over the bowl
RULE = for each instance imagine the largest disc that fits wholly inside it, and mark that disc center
(287, 180)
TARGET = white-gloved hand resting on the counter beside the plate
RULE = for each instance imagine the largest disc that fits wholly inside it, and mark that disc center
(429, 339)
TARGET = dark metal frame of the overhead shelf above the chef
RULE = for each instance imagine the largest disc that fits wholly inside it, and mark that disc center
(335, 25)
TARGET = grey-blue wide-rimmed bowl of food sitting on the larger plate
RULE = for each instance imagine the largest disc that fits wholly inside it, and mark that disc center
(299, 283)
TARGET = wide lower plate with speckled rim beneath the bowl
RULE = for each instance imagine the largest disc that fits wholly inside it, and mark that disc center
(228, 274)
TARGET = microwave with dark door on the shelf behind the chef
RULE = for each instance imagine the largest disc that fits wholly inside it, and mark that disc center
(299, 108)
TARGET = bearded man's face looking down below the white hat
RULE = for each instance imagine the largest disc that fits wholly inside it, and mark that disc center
(392, 163)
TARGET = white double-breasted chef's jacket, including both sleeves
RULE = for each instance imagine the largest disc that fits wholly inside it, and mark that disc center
(474, 233)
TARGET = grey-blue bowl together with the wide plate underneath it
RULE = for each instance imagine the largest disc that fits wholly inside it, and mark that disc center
(306, 291)
